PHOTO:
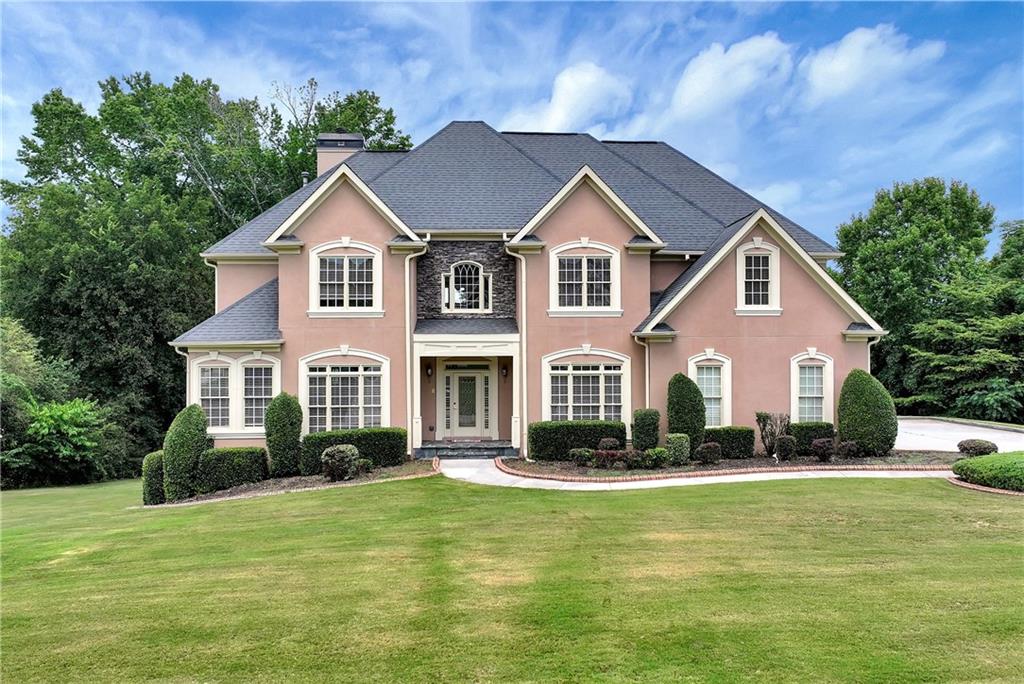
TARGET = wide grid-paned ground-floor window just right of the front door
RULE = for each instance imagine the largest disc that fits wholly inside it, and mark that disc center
(586, 392)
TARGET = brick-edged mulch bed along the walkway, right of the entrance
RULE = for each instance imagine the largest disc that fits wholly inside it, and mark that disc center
(569, 472)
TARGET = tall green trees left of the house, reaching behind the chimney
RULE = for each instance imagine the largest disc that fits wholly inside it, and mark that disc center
(102, 245)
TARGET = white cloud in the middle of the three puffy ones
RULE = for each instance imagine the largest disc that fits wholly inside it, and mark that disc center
(719, 78)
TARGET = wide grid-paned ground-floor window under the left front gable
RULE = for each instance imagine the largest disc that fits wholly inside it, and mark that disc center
(345, 397)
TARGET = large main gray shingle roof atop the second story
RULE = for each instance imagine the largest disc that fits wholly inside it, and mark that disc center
(468, 177)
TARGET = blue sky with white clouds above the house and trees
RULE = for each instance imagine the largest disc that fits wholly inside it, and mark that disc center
(809, 107)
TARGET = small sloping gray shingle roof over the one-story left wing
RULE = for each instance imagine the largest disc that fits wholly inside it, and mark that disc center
(252, 319)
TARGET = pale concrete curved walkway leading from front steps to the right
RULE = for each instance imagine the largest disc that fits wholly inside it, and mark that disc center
(484, 472)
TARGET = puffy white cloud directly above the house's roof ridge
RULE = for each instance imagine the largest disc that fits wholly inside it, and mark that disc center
(581, 97)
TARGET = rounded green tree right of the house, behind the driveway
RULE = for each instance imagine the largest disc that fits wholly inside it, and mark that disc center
(916, 238)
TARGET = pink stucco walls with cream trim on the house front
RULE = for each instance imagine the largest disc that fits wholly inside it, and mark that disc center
(760, 348)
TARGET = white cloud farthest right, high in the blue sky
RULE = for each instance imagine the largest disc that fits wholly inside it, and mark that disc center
(865, 62)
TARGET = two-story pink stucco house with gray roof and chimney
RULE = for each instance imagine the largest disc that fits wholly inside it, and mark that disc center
(484, 281)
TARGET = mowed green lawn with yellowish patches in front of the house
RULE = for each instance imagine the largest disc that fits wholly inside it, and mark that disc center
(435, 580)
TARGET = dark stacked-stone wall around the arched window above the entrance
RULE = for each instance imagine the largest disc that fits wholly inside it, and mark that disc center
(439, 260)
